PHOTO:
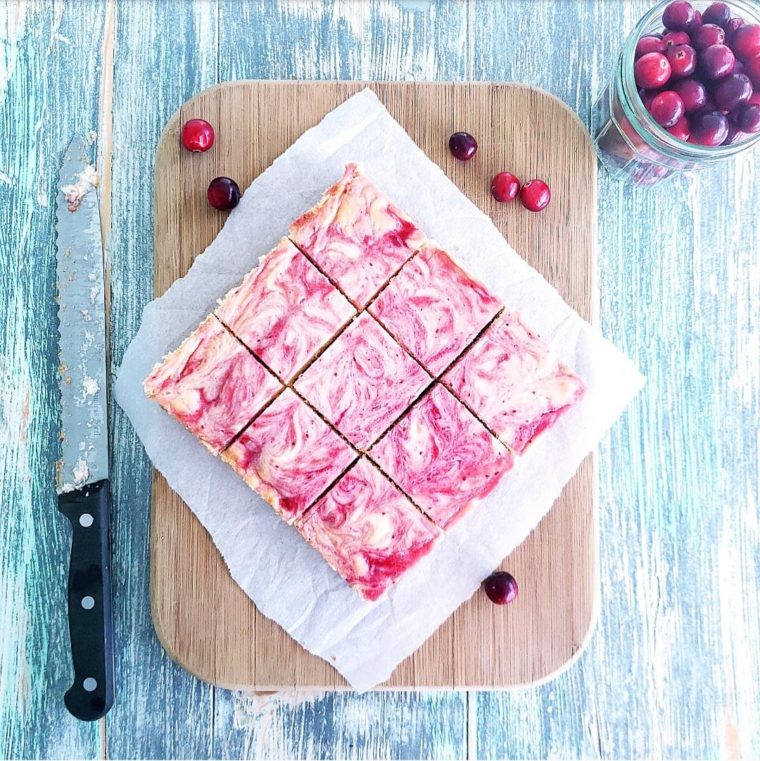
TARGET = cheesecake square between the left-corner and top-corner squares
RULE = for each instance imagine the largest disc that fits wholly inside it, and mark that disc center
(285, 310)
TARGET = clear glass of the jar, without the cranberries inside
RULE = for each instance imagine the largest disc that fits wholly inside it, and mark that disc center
(628, 141)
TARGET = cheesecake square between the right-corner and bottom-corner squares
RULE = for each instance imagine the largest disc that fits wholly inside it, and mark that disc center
(442, 457)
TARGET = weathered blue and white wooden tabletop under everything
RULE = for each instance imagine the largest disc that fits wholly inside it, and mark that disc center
(674, 668)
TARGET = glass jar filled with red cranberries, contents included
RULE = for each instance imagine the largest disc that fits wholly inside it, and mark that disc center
(686, 91)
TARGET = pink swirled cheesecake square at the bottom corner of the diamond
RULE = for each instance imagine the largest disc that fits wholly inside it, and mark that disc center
(368, 531)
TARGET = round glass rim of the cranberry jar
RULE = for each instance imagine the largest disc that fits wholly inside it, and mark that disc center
(653, 134)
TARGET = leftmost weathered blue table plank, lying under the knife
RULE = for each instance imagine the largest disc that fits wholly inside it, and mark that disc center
(45, 48)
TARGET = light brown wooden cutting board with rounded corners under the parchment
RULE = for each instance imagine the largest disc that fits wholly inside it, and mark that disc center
(203, 619)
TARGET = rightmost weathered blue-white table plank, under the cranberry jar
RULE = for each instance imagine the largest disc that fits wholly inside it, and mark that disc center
(679, 617)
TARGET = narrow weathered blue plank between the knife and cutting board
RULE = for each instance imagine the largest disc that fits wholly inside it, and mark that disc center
(164, 53)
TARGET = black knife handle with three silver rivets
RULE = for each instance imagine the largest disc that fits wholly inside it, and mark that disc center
(90, 617)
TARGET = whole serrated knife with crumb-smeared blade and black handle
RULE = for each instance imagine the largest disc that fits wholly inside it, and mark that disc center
(82, 471)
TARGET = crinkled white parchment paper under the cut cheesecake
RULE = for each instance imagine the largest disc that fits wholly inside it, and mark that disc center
(287, 580)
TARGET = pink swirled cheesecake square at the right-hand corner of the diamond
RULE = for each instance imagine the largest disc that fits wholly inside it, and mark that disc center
(513, 382)
